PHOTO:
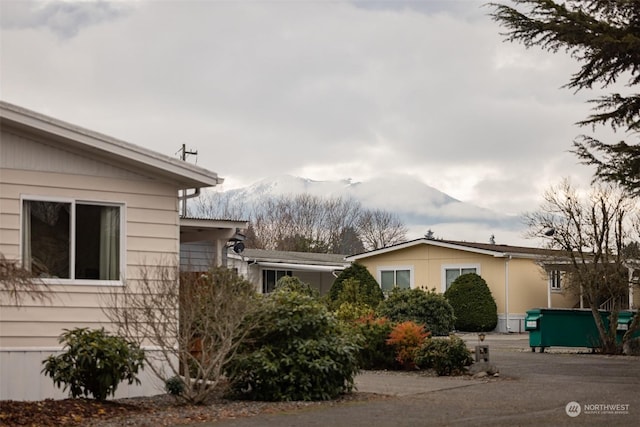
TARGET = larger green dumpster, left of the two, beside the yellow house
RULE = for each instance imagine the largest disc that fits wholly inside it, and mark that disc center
(549, 327)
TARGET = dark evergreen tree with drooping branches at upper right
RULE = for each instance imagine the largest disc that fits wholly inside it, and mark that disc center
(604, 37)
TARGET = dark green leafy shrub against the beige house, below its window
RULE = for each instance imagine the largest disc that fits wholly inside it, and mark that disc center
(94, 363)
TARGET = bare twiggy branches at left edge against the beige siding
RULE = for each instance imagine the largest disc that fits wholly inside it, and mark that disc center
(19, 283)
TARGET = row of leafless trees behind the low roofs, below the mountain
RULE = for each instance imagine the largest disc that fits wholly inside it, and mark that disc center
(308, 223)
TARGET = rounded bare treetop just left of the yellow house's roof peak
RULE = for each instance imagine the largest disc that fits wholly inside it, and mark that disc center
(380, 228)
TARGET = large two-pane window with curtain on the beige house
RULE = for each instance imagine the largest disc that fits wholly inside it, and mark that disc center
(72, 240)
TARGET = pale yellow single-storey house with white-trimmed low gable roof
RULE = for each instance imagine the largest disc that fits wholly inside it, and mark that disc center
(514, 274)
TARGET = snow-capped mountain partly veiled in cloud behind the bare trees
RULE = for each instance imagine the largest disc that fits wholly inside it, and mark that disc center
(420, 206)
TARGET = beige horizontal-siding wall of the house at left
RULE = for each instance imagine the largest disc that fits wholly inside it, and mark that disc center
(30, 167)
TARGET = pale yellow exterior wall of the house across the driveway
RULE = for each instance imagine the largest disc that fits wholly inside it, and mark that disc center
(521, 280)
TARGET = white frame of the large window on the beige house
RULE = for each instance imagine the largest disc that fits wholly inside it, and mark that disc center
(72, 237)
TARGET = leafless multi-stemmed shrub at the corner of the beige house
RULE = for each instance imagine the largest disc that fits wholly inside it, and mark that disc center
(197, 321)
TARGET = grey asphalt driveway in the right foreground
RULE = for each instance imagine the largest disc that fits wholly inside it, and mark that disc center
(558, 387)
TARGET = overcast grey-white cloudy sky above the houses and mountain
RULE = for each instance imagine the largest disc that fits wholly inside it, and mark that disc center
(319, 89)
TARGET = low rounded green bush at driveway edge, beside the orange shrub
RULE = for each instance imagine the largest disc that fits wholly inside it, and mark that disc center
(446, 356)
